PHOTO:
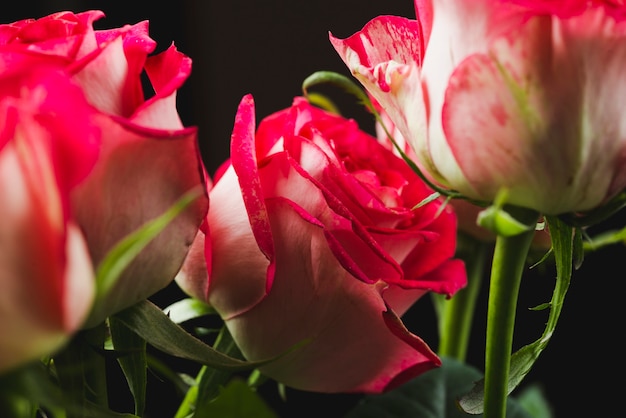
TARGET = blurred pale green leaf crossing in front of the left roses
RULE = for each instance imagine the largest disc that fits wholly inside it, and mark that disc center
(120, 256)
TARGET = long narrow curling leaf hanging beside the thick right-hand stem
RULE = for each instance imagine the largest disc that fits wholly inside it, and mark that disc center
(562, 236)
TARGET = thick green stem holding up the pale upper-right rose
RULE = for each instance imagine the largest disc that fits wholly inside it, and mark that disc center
(508, 265)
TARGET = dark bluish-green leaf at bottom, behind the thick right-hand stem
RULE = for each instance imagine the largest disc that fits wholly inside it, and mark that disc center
(430, 395)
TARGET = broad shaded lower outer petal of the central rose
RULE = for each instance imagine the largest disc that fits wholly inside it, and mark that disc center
(361, 349)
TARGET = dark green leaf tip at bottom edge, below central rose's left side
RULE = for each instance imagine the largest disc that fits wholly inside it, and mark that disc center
(237, 400)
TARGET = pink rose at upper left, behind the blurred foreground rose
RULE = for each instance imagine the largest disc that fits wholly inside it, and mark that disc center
(148, 159)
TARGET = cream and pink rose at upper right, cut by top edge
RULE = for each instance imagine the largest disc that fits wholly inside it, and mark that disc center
(522, 95)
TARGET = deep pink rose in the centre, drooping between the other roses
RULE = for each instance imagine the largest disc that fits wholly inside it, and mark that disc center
(313, 237)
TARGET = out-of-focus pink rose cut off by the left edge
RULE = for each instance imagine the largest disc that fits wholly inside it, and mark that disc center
(48, 144)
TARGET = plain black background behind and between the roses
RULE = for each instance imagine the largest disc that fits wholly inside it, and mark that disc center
(267, 49)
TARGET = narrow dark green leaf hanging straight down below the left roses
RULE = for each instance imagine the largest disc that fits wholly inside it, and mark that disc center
(131, 352)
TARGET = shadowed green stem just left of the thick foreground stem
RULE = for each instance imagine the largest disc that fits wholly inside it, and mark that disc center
(457, 313)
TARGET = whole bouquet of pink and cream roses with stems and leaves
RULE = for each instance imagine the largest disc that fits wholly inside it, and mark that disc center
(499, 141)
